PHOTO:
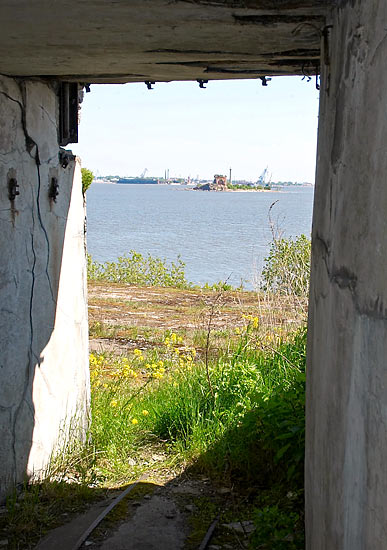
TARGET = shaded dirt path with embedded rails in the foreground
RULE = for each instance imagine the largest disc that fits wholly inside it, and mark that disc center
(173, 515)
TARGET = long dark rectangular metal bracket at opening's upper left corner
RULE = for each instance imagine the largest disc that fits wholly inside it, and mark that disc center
(68, 113)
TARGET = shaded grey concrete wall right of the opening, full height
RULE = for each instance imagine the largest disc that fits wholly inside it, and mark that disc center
(346, 472)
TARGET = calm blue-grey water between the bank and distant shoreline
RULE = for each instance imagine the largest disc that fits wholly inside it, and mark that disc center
(219, 236)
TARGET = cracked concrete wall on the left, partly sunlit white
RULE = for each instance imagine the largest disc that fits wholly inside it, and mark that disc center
(43, 318)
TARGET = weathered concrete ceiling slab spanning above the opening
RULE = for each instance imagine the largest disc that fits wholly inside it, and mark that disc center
(162, 40)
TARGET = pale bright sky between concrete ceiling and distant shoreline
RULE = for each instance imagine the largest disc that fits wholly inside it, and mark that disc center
(236, 124)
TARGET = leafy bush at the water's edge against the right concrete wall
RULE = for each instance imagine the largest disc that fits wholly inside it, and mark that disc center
(287, 267)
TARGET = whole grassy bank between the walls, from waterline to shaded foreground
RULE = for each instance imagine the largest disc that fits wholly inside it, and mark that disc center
(186, 381)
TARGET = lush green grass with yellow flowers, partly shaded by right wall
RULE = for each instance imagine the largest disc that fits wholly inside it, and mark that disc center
(241, 424)
